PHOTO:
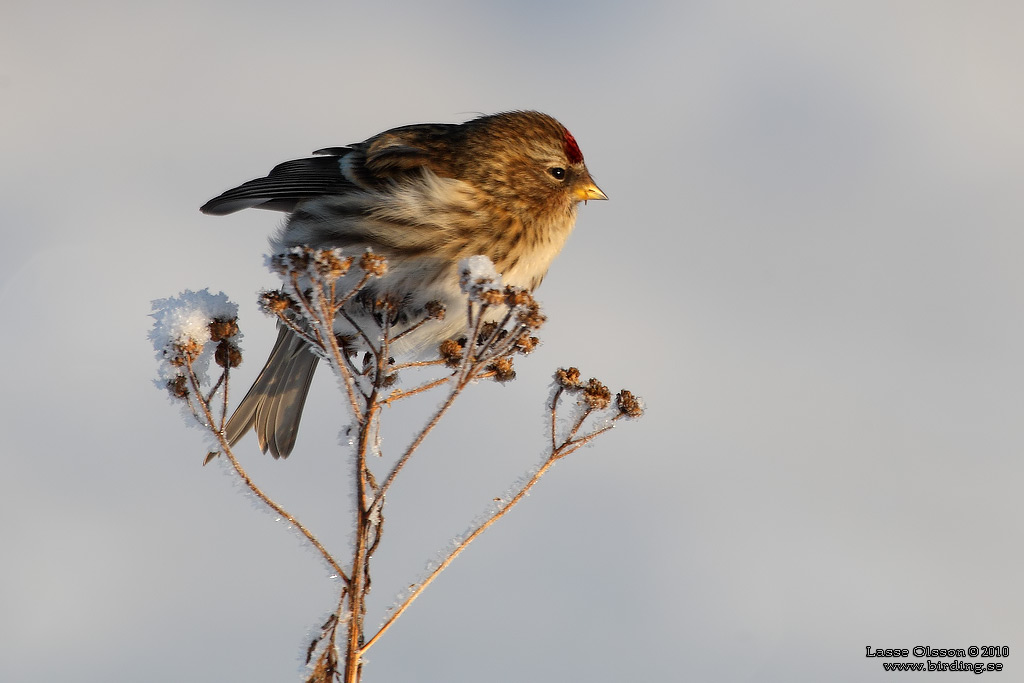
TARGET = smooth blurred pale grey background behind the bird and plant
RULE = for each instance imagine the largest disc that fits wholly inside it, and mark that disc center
(809, 268)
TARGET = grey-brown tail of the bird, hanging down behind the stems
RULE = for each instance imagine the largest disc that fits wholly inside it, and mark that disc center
(274, 405)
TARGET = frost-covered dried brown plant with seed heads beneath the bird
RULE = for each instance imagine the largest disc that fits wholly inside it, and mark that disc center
(501, 323)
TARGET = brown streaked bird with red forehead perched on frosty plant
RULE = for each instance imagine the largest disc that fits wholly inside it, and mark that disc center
(425, 196)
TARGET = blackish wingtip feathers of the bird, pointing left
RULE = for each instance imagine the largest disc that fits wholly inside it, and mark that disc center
(286, 186)
